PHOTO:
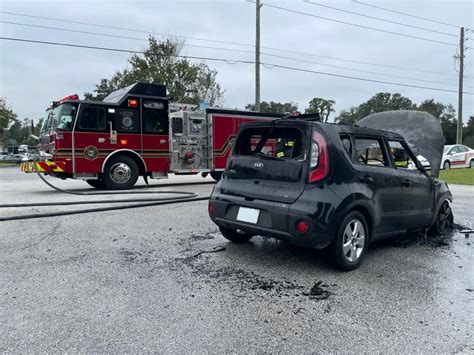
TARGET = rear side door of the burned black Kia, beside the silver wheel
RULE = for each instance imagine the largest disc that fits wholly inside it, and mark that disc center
(378, 181)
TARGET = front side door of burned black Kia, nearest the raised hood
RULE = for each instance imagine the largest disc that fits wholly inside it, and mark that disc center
(417, 198)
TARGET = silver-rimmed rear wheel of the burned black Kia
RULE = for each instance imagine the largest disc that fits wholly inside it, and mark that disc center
(350, 243)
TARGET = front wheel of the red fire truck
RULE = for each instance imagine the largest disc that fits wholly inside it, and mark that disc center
(120, 173)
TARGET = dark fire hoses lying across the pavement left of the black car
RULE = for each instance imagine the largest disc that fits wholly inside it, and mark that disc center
(186, 196)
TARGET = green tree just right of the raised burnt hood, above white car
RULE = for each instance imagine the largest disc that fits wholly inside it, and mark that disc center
(446, 114)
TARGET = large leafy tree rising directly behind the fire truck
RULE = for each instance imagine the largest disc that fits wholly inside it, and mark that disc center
(160, 64)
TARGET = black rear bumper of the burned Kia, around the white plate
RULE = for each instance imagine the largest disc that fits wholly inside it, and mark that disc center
(276, 220)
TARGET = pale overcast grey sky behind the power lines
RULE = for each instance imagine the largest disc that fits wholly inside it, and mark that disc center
(32, 75)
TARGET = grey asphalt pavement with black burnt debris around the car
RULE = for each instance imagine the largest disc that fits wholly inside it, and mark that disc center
(163, 279)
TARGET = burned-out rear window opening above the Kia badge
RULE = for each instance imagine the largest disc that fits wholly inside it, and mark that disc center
(278, 142)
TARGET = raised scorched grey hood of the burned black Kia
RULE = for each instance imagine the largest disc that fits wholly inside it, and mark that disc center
(421, 130)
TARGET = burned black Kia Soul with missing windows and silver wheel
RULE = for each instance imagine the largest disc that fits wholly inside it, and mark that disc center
(324, 185)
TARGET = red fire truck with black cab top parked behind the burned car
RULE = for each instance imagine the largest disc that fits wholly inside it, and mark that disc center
(132, 133)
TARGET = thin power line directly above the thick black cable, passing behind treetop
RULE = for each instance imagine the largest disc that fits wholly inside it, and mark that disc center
(226, 49)
